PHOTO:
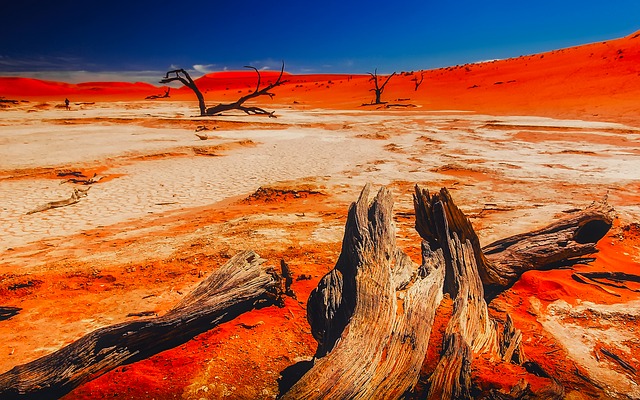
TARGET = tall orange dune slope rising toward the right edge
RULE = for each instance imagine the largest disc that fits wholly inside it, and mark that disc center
(595, 80)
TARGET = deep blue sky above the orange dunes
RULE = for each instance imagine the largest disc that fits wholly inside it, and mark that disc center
(58, 38)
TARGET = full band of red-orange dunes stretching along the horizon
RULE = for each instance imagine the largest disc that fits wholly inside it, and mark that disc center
(594, 81)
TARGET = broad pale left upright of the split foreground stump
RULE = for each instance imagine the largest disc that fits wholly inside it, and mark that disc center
(379, 307)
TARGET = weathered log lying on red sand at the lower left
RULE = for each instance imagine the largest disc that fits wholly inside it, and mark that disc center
(238, 286)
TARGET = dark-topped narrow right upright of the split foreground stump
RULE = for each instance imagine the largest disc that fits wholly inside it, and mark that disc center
(470, 329)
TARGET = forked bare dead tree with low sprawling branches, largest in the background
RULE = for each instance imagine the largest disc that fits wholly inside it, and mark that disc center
(182, 76)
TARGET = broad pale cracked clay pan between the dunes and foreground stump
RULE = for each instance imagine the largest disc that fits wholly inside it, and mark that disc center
(533, 180)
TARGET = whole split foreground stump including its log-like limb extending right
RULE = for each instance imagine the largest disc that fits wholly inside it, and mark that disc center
(372, 314)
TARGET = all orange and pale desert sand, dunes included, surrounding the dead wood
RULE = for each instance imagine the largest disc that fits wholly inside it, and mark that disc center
(559, 131)
